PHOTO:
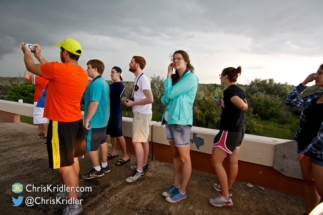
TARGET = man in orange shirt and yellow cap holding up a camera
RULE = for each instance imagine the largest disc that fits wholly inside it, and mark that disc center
(67, 83)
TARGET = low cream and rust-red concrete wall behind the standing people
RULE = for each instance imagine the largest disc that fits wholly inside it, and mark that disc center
(263, 161)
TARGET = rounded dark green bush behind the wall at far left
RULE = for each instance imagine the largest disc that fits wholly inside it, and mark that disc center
(24, 91)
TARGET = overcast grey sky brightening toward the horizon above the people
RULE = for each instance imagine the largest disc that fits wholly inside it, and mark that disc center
(266, 38)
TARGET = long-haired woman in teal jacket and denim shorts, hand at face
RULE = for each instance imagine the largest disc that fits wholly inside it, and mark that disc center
(180, 91)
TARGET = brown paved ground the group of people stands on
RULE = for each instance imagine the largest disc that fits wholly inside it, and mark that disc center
(24, 159)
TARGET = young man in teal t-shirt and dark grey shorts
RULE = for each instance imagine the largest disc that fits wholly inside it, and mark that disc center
(96, 117)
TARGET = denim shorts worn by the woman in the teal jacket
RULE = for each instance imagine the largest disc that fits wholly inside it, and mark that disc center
(179, 134)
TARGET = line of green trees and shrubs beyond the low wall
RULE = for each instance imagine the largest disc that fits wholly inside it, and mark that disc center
(265, 98)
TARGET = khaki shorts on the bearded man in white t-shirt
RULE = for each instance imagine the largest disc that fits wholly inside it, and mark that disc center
(140, 127)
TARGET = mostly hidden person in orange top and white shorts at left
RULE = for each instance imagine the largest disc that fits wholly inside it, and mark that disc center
(40, 84)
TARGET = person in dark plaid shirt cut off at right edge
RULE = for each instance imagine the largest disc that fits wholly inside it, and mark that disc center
(309, 138)
